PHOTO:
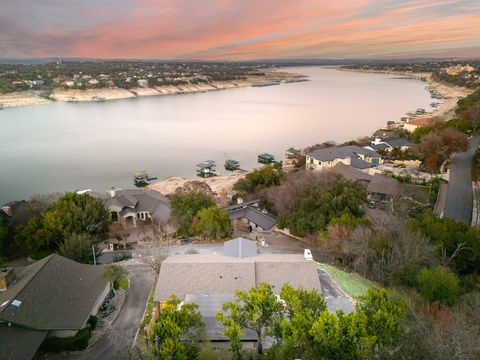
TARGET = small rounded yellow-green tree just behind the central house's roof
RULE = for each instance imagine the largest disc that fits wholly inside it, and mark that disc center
(212, 223)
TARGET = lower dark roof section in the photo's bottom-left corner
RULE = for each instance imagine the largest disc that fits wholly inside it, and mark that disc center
(17, 343)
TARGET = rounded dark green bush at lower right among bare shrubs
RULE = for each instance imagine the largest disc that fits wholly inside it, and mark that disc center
(439, 284)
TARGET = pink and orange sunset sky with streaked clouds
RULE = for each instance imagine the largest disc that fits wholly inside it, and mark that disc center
(239, 30)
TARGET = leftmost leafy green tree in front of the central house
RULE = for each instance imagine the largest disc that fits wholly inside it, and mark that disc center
(176, 329)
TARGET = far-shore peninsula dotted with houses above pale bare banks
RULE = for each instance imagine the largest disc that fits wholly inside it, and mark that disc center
(23, 85)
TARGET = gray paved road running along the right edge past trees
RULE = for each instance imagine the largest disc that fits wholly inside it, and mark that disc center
(459, 201)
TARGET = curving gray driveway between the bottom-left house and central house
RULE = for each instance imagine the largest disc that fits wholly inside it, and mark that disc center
(118, 341)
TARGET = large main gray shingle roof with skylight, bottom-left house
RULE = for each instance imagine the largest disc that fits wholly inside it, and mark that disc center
(55, 293)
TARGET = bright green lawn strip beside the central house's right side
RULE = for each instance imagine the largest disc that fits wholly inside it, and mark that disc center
(351, 283)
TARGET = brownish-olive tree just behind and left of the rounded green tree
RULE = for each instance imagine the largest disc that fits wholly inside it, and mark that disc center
(185, 207)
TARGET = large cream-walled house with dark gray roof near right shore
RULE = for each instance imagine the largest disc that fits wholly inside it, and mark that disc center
(355, 156)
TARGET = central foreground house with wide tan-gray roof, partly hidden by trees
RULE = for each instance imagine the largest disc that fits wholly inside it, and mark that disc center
(210, 280)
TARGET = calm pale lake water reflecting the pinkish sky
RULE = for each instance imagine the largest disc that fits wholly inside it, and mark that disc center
(64, 147)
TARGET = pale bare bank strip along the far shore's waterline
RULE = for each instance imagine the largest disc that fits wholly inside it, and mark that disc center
(31, 98)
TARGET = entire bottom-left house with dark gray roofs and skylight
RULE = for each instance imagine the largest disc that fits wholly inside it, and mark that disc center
(53, 297)
